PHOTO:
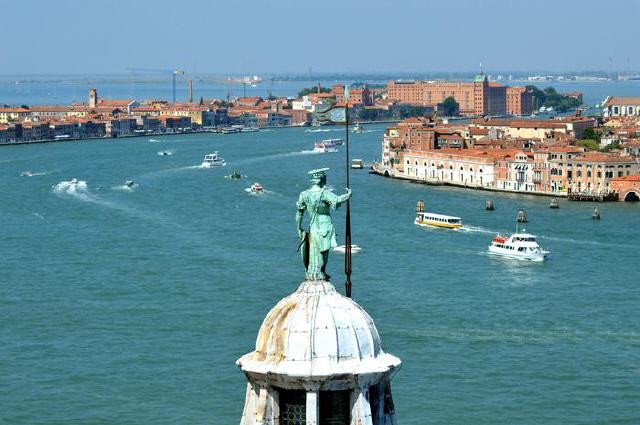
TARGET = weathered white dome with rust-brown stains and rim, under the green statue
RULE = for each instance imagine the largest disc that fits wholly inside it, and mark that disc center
(318, 332)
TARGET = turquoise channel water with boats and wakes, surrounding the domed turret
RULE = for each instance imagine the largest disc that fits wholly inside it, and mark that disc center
(132, 306)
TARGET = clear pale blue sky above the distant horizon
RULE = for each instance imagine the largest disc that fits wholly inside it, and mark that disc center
(253, 36)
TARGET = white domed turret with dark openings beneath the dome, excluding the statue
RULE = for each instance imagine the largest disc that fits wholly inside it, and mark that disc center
(318, 360)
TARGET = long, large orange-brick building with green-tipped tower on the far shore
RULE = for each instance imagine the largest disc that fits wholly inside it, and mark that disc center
(479, 97)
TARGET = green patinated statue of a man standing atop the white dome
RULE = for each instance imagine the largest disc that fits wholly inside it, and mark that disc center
(321, 237)
